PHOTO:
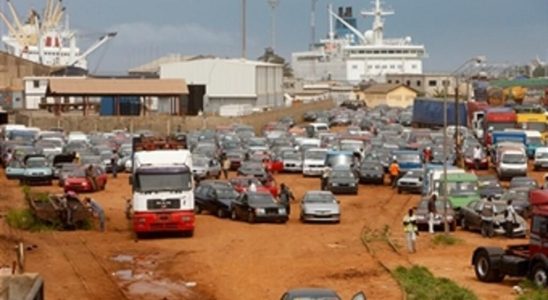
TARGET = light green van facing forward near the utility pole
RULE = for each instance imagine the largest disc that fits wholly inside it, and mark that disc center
(462, 188)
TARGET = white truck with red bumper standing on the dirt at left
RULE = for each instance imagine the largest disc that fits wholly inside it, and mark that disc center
(163, 197)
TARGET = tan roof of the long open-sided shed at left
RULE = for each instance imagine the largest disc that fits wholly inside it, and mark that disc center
(116, 87)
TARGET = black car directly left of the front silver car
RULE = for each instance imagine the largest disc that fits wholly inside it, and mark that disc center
(257, 206)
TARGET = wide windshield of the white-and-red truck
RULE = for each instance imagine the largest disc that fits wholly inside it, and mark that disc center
(164, 182)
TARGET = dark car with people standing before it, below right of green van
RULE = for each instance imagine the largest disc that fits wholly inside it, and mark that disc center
(471, 218)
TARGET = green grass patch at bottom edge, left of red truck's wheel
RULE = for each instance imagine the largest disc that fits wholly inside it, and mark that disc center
(420, 283)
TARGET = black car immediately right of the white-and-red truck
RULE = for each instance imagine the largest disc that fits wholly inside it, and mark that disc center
(214, 196)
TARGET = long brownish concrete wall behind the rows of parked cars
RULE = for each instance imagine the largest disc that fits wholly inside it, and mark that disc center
(161, 123)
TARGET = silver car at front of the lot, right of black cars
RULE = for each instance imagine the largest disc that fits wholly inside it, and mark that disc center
(320, 206)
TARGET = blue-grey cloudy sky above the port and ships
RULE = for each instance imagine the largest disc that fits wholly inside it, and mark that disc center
(505, 31)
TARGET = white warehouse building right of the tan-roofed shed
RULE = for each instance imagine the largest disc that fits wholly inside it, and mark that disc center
(230, 81)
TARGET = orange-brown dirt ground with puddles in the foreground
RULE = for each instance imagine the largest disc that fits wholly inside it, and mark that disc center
(236, 260)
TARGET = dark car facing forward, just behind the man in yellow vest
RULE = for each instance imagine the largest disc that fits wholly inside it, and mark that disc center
(422, 215)
